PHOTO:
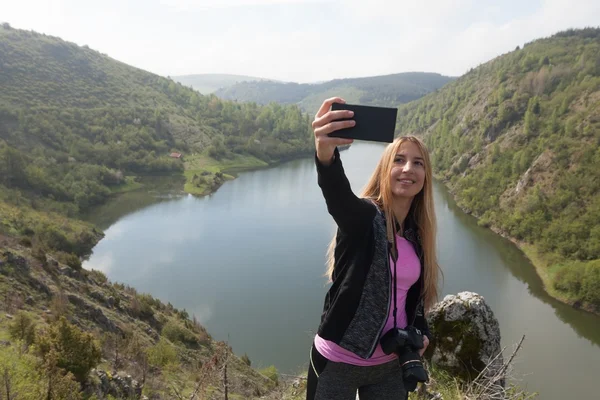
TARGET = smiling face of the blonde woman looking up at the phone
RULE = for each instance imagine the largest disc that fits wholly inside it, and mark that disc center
(408, 171)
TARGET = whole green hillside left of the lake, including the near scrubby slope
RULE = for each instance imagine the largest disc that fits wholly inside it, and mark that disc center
(77, 127)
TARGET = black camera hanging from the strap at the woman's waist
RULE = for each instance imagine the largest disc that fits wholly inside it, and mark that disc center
(406, 344)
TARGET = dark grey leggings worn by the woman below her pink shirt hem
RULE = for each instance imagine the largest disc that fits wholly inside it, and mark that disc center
(328, 380)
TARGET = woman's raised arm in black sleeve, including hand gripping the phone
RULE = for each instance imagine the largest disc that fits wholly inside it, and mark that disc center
(351, 213)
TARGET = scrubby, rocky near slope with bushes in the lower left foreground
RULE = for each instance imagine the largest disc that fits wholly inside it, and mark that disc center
(76, 335)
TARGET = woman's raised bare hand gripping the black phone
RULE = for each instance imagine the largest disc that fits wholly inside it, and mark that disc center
(325, 123)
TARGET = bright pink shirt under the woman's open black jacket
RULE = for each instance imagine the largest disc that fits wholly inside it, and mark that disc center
(408, 270)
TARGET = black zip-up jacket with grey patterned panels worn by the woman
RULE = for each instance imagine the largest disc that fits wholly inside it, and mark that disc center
(356, 306)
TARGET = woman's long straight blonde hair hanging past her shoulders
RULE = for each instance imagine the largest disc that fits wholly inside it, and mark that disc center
(378, 189)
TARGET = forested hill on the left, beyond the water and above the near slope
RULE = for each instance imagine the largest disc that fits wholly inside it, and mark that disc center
(74, 123)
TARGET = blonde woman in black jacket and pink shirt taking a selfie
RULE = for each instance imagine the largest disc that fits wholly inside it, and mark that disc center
(384, 240)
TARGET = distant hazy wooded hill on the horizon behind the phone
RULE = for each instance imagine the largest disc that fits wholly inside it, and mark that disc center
(385, 90)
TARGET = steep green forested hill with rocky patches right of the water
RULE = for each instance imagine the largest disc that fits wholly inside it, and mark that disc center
(518, 141)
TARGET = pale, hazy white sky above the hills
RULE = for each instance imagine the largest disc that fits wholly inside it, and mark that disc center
(301, 40)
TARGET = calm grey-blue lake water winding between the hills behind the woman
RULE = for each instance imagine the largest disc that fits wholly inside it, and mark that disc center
(248, 261)
